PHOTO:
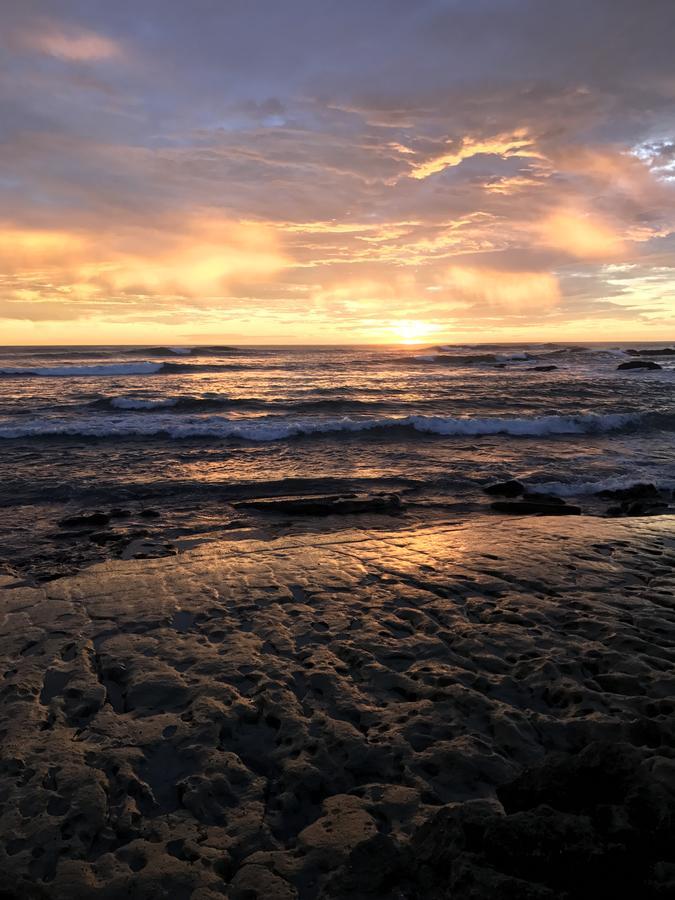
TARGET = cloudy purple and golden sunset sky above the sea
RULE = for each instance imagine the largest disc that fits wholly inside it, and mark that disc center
(336, 171)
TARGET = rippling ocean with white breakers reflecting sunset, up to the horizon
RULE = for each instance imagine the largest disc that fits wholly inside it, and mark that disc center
(185, 431)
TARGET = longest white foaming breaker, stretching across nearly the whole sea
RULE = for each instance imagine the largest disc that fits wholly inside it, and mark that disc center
(276, 428)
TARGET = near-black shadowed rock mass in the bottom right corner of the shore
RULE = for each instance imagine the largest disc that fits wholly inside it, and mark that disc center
(577, 826)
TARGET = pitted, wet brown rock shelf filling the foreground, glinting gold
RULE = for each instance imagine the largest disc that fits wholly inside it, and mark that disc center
(478, 710)
